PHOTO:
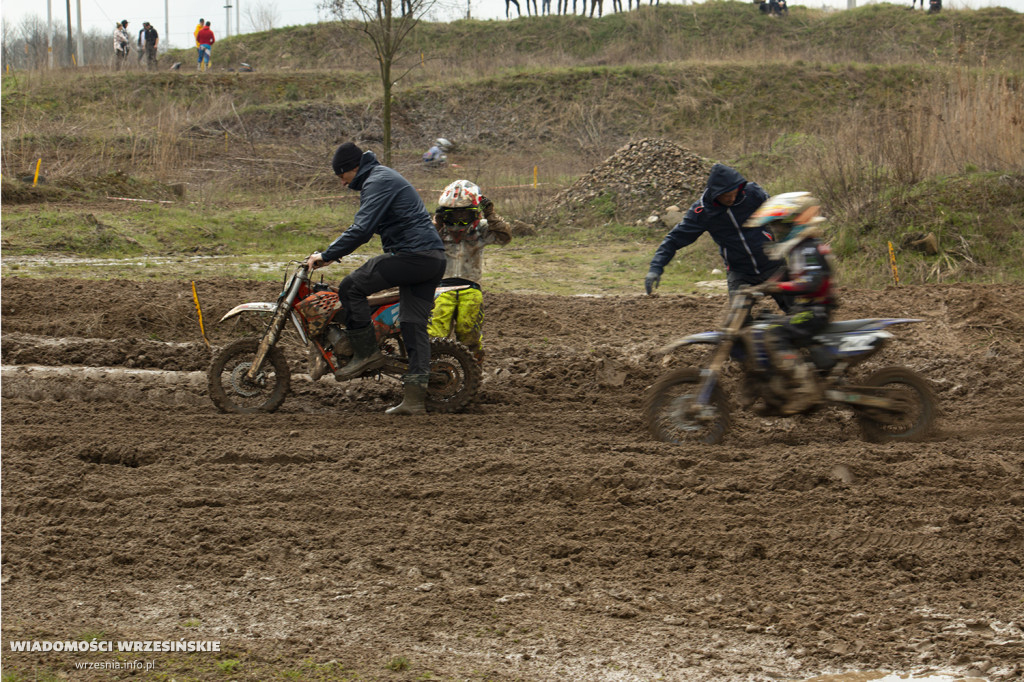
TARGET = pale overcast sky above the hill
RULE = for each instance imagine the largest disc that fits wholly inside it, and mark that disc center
(183, 15)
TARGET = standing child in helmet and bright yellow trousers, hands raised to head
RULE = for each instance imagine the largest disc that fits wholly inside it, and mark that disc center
(467, 223)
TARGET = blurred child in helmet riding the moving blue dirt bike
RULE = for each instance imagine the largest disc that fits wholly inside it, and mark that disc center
(794, 222)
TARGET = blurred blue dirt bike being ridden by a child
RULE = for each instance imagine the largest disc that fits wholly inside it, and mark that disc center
(691, 405)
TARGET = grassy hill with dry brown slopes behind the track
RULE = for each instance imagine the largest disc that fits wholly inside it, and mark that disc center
(902, 121)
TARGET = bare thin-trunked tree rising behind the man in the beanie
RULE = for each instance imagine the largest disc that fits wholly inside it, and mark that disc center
(387, 25)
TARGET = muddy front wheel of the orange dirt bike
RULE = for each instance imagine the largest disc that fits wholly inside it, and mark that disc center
(232, 392)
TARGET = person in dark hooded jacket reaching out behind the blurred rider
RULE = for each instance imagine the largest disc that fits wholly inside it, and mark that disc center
(721, 211)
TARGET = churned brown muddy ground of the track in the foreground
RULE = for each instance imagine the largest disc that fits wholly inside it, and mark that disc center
(542, 536)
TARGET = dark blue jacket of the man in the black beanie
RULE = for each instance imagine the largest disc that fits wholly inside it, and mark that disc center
(390, 206)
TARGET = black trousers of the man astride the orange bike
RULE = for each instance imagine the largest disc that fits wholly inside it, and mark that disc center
(417, 276)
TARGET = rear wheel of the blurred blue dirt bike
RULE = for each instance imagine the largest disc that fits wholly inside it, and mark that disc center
(919, 407)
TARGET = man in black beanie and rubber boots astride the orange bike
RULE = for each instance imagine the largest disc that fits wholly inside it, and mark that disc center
(413, 261)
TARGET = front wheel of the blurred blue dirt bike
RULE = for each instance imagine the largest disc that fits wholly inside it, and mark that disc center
(669, 410)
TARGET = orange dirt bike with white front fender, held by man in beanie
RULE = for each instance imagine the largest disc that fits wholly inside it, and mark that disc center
(252, 375)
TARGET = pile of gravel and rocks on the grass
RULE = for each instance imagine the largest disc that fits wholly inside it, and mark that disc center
(636, 183)
